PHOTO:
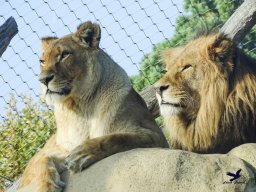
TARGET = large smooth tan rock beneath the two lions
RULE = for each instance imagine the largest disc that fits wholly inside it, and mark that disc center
(163, 170)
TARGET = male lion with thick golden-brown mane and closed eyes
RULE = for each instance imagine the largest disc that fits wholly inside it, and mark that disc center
(207, 96)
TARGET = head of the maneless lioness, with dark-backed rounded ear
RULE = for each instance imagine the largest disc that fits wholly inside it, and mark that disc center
(67, 64)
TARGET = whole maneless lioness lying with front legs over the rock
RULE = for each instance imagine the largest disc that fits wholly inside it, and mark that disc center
(96, 109)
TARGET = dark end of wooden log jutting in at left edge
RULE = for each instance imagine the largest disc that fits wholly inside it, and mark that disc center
(7, 31)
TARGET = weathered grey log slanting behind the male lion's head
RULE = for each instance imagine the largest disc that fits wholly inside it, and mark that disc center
(237, 26)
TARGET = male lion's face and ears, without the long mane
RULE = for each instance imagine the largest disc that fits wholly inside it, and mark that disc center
(190, 69)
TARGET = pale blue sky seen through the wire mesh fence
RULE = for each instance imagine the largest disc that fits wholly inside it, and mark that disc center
(130, 28)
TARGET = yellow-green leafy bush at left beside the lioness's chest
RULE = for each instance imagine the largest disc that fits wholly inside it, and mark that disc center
(22, 133)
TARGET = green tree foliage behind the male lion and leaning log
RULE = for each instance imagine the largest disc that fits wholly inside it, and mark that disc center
(198, 14)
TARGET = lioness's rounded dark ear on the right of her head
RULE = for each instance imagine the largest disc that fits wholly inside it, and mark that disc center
(88, 34)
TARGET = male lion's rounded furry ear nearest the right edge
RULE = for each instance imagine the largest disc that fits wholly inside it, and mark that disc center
(220, 48)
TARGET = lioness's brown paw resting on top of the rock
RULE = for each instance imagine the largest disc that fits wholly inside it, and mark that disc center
(79, 159)
